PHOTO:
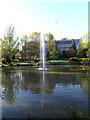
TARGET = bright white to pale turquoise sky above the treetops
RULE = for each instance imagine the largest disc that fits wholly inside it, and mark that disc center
(61, 18)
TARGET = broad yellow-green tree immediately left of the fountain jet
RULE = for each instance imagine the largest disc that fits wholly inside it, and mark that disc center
(32, 47)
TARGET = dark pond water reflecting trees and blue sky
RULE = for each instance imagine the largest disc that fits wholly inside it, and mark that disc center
(28, 92)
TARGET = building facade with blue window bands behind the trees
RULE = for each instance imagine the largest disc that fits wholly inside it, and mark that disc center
(65, 44)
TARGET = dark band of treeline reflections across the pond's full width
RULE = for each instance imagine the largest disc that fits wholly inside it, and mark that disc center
(13, 80)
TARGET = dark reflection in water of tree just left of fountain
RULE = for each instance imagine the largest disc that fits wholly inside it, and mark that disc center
(31, 82)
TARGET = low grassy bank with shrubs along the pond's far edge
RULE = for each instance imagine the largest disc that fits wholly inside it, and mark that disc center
(71, 61)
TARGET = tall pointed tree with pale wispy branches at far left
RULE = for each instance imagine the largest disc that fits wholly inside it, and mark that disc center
(10, 44)
